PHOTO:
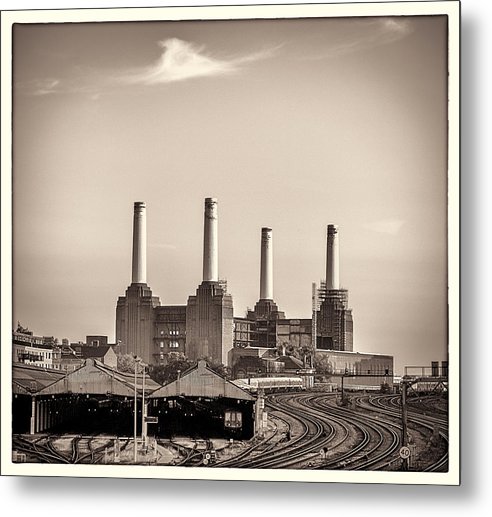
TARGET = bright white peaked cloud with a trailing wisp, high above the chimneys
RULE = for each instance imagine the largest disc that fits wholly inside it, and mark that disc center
(181, 60)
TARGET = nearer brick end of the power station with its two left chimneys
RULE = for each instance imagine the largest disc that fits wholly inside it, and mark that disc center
(202, 329)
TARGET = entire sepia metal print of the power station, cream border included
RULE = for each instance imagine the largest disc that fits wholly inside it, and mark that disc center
(334, 126)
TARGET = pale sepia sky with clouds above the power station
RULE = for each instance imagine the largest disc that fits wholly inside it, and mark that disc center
(292, 124)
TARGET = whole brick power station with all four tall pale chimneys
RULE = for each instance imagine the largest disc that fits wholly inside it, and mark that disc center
(206, 327)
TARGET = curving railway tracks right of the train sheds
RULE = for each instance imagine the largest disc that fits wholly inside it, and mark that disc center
(365, 437)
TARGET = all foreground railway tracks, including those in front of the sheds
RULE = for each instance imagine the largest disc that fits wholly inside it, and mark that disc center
(312, 432)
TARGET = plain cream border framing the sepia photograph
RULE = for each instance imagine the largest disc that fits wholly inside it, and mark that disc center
(451, 9)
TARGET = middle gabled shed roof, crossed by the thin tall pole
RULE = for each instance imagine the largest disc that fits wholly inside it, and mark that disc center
(95, 378)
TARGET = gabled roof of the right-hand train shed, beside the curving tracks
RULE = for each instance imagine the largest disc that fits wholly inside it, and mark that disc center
(201, 381)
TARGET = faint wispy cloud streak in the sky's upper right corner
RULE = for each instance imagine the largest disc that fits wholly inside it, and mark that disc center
(369, 35)
